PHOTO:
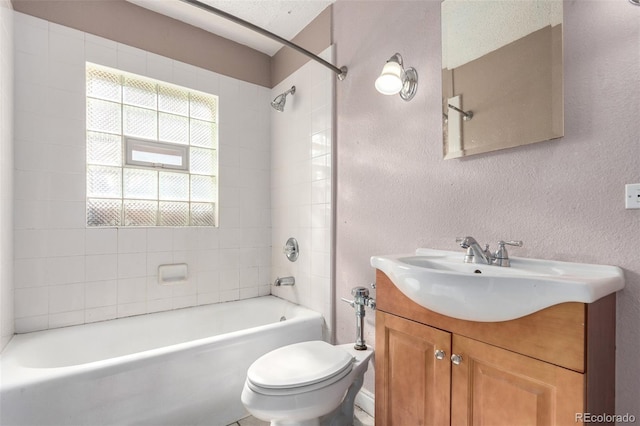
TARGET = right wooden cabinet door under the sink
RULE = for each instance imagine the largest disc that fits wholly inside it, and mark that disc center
(493, 386)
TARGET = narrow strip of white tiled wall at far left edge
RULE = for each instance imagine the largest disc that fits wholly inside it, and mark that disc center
(6, 173)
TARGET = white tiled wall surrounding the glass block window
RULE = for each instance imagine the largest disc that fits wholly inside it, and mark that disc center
(67, 274)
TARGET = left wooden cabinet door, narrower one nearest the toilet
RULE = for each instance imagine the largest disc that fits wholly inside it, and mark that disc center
(412, 385)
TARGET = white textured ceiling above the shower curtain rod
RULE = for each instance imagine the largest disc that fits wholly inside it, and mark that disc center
(285, 18)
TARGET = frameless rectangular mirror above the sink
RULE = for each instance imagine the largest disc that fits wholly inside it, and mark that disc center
(501, 74)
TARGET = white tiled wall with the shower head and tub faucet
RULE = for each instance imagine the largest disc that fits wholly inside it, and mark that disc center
(301, 185)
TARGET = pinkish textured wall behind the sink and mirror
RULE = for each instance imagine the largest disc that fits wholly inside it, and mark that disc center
(564, 198)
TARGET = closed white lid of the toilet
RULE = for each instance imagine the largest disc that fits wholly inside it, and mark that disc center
(300, 364)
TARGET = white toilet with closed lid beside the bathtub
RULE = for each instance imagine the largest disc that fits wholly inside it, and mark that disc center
(305, 384)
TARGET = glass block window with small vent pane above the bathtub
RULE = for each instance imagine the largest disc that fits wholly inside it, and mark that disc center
(152, 155)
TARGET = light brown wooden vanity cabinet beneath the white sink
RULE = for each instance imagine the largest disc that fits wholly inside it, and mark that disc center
(542, 369)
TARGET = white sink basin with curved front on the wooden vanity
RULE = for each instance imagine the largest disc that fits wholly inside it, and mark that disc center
(440, 281)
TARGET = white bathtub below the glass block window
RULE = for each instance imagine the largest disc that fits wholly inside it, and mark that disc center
(183, 367)
